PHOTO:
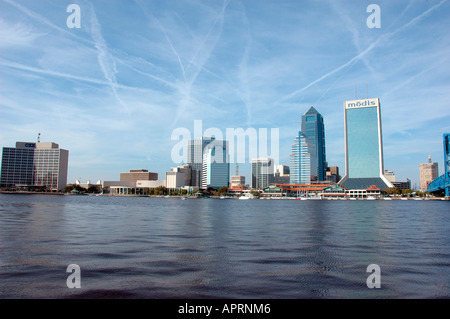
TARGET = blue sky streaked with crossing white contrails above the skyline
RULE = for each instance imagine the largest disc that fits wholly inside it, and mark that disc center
(113, 91)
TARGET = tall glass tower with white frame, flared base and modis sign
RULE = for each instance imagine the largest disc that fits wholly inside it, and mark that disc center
(363, 145)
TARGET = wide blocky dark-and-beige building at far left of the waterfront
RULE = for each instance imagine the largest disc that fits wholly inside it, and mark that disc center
(34, 165)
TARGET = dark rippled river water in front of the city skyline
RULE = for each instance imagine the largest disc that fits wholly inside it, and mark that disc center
(215, 248)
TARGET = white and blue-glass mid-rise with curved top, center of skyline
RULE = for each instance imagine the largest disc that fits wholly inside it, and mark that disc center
(216, 164)
